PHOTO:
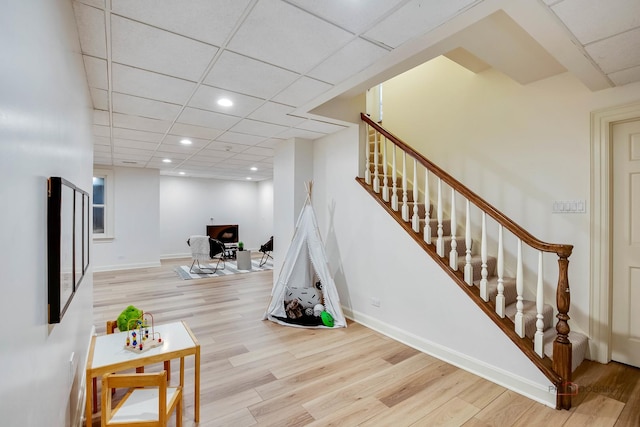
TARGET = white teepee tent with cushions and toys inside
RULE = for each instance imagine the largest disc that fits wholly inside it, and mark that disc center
(304, 265)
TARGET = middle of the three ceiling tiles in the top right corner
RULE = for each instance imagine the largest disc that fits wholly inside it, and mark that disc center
(618, 52)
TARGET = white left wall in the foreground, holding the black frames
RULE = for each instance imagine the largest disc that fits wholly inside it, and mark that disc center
(44, 131)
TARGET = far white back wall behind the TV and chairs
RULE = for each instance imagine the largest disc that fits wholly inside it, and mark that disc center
(188, 204)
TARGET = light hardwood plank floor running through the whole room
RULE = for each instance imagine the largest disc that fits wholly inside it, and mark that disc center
(256, 372)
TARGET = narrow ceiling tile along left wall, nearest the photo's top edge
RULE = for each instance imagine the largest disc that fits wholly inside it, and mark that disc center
(90, 22)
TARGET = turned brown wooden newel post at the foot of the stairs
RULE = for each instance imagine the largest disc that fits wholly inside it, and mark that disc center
(562, 345)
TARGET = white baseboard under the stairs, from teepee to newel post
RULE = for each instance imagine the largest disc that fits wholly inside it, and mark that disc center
(542, 394)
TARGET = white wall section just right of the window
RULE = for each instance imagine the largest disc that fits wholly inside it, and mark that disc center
(136, 241)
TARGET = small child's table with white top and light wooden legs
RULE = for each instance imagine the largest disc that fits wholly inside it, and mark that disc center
(107, 354)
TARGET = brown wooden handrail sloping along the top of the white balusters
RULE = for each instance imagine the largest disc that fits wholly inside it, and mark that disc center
(563, 251)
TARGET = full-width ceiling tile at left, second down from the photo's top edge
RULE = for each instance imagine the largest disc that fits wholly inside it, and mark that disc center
(149, 48)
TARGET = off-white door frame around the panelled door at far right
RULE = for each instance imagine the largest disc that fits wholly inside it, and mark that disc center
(600, 277)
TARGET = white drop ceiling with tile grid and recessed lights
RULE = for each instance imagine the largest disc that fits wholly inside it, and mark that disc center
(156, 69)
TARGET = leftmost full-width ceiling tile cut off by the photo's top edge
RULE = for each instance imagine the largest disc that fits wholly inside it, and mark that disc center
(210, 21)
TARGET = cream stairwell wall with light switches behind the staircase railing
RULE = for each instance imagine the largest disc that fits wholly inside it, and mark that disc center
(519, 147)
